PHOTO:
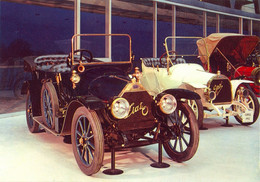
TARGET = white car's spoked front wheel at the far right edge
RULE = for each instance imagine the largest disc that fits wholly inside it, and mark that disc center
(251, 102)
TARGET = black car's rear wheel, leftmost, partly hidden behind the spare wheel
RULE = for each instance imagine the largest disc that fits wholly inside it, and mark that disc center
(32, 125)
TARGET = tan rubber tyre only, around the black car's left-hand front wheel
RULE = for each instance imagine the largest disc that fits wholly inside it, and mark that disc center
(93, 120)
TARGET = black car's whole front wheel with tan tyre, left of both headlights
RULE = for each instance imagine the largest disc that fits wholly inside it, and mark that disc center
(87, 140)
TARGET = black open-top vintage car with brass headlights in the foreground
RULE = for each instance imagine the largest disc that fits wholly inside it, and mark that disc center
(97, 102)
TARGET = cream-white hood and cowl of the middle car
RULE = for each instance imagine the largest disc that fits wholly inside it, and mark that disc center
(156, 80)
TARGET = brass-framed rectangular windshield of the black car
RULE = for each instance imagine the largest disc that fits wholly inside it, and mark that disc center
(105, 48)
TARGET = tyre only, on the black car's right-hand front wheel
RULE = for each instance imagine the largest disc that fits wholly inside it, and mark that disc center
(193, 129)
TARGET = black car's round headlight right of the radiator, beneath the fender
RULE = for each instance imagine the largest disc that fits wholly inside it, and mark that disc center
(168, 104)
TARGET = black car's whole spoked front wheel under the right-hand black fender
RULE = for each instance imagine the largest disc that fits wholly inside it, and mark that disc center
(183, 133)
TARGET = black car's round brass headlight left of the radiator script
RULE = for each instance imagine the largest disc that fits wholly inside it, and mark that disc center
(120, 108)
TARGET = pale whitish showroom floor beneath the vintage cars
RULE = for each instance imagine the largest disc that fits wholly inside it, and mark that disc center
(224, 154)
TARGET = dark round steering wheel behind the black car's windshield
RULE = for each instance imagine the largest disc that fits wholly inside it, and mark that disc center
(88, 57)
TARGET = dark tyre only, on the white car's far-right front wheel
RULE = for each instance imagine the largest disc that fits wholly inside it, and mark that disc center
(256, 109)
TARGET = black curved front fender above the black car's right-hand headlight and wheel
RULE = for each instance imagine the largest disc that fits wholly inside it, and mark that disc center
(182, 94)
